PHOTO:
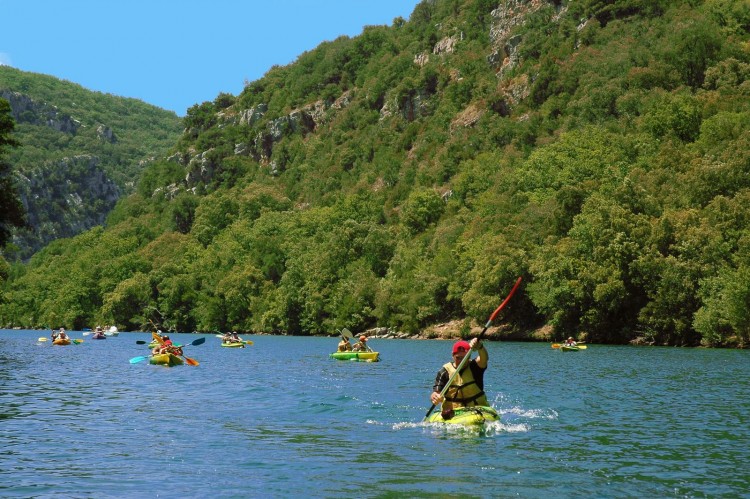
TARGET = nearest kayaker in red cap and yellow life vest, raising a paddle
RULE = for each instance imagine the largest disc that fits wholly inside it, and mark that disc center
(467, 387)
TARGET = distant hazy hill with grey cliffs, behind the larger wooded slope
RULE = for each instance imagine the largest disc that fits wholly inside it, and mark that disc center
(80, 152)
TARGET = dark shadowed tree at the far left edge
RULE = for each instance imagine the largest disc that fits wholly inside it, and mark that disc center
(11, 209)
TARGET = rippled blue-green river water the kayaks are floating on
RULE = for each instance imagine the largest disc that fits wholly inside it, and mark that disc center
(281, 418)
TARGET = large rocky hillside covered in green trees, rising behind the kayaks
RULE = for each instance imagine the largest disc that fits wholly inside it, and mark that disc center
(407, 177)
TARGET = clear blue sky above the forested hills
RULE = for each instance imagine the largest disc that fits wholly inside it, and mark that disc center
(175, 53)
